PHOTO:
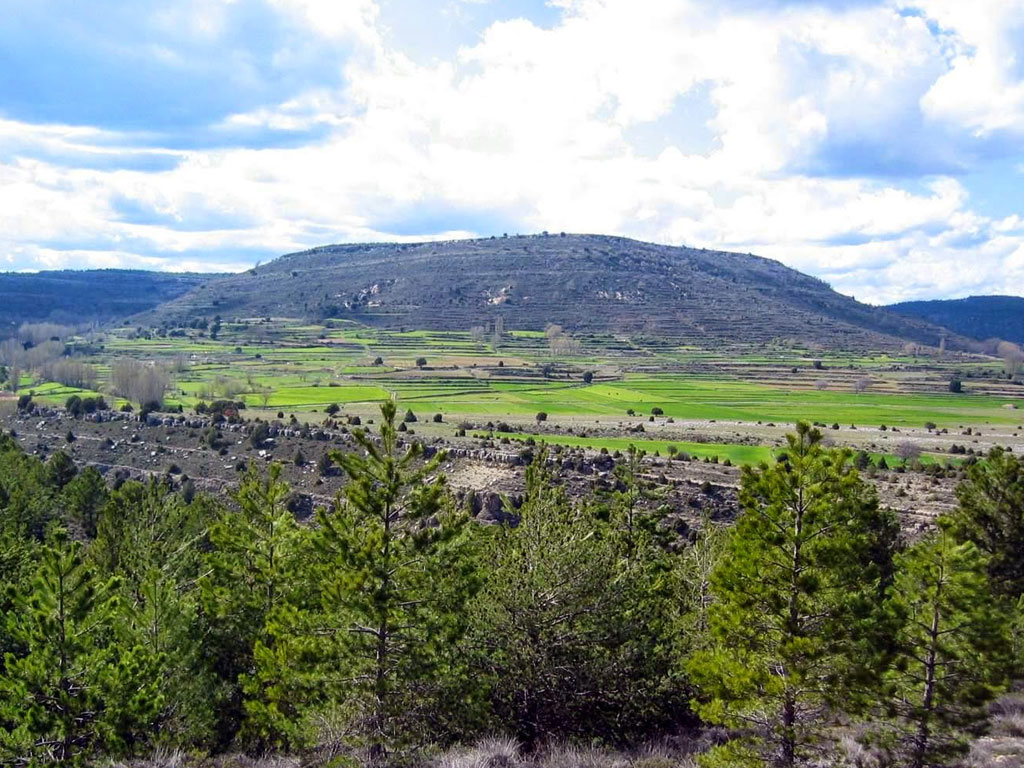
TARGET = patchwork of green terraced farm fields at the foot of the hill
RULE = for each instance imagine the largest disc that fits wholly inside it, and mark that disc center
(608, 393)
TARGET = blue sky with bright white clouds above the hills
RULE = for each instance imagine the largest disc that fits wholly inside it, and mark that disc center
(876, 145)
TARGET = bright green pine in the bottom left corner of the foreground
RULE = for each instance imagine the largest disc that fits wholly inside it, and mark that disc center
(68, 691)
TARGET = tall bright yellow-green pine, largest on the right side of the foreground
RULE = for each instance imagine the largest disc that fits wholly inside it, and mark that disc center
(794, 595)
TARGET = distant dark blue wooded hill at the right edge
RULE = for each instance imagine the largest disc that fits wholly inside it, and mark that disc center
(980, 317)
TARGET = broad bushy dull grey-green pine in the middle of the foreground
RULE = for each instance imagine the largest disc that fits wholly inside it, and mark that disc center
(569, 626)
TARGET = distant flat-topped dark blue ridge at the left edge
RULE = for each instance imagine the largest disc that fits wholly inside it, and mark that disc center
(75, 296)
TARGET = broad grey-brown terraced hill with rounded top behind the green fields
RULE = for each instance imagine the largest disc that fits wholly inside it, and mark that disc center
(586, 284)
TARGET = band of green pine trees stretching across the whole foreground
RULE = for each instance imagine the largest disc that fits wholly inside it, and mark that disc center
(137, 617)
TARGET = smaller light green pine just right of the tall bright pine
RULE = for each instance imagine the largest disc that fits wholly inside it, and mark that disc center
(952, 650)
